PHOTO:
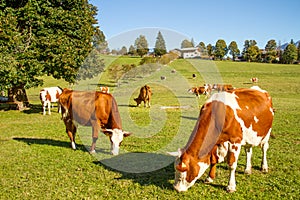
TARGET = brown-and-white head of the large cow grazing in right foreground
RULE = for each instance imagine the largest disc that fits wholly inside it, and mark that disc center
(187, 171)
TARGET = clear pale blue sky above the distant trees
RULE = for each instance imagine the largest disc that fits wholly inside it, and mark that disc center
(122, 21)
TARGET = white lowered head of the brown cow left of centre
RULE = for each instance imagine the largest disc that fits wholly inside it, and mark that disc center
(116, 137)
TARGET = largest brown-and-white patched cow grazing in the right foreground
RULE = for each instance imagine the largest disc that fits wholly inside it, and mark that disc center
(227, 121)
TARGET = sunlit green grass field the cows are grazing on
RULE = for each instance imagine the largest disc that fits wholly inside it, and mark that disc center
(37, 162)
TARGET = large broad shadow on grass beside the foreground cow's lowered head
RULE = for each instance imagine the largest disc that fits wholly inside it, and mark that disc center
(143, 168)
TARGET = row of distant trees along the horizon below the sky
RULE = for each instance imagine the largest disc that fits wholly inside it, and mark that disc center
(272, 53)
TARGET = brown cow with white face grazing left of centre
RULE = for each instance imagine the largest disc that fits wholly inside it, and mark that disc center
(95, 109)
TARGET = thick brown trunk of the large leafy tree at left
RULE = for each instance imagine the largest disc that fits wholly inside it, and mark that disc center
(17, 98)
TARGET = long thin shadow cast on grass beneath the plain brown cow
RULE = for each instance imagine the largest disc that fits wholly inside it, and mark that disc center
(51, 142)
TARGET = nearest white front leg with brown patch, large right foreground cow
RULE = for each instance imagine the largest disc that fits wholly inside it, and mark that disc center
(234, 151)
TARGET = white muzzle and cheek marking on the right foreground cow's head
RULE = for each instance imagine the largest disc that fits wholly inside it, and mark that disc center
(181, 184)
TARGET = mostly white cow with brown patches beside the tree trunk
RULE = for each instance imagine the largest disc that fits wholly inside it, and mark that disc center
(49, 95)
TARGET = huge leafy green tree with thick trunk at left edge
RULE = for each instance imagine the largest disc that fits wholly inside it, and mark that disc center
(44, 37)
